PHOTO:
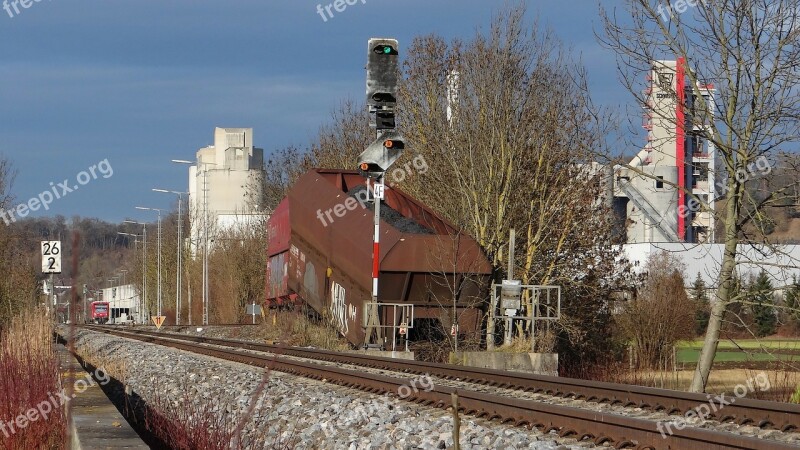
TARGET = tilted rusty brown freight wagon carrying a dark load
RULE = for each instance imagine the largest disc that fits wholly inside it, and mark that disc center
(320, 253)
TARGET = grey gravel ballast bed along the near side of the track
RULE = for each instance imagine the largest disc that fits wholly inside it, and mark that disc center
(292, 411)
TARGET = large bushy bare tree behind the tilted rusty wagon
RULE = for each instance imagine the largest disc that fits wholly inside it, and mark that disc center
(507, 128)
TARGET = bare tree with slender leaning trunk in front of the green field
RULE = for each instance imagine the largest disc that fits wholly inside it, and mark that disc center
(749, 50)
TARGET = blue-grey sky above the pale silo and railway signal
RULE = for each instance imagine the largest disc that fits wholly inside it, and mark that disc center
(126, 86)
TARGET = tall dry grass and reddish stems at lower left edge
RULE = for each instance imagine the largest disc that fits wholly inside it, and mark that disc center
(29, 374)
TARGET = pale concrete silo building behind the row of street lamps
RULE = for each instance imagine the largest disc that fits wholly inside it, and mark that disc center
(224, 184)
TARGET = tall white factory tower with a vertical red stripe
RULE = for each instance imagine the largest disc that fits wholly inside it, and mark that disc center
(651, 194)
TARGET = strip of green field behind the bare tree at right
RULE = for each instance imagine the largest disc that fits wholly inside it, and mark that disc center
(743, 350)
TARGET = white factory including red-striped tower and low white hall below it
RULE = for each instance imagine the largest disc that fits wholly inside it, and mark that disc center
(650, 197)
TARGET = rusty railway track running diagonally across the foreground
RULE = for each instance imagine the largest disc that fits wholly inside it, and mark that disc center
(619, 431)
